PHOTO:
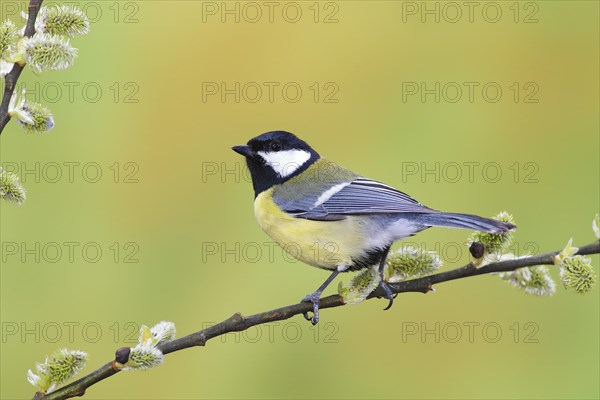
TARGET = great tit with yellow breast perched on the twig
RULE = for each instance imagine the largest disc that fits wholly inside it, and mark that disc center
(332, 218)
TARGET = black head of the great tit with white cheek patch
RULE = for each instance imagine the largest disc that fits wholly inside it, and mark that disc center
(274, 157)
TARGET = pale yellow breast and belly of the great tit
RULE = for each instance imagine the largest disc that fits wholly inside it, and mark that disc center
(323, 244)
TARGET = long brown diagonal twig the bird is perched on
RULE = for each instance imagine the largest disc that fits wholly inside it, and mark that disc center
(238, 322)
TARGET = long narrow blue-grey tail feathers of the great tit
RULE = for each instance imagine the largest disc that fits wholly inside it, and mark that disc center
(466, 221)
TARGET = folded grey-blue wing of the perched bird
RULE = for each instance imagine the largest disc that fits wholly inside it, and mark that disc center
(359, 197)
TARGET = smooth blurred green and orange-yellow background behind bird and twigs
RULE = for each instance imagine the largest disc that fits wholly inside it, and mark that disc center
(172, 210)
